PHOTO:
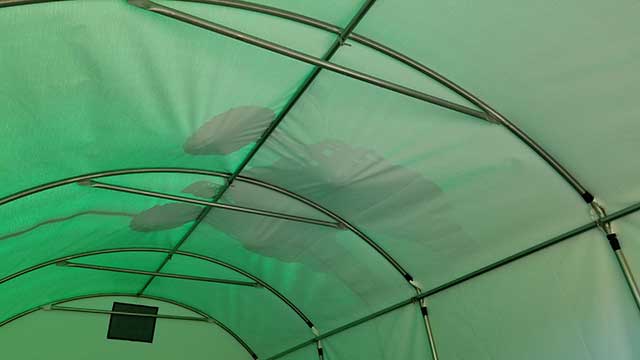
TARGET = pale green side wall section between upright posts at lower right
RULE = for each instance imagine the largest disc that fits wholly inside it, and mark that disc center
(569, 301)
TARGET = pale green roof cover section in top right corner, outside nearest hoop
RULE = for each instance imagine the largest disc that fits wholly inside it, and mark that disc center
(565, 71)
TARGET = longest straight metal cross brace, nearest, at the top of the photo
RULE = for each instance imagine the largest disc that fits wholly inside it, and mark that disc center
(312, 60)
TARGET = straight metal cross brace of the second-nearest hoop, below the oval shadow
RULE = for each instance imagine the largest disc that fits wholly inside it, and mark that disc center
(235, 208)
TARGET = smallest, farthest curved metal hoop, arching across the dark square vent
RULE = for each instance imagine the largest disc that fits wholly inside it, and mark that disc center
(150, 297)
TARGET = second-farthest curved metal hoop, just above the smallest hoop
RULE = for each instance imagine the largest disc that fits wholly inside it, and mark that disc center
(275, 292)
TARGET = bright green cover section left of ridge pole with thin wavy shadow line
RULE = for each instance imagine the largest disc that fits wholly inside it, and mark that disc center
(74, 219)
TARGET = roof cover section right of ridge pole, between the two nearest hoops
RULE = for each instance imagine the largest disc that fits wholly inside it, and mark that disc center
(442, 192)
